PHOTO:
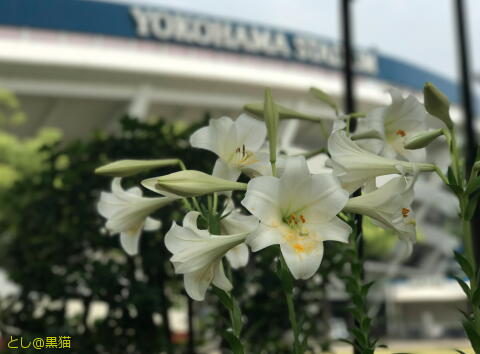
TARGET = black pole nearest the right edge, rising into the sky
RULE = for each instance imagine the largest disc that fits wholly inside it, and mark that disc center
(469, 114)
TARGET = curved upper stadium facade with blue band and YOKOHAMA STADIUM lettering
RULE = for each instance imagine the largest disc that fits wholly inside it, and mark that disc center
(80, 64)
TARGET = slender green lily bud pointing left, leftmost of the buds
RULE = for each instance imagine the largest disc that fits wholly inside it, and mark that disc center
(124, 168)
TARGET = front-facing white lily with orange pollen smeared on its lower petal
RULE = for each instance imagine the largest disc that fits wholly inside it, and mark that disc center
(298, 212)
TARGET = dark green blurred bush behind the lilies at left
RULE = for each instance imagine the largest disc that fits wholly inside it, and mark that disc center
(54, 248)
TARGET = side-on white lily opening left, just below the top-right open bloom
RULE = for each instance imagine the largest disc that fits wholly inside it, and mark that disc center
(355, 166)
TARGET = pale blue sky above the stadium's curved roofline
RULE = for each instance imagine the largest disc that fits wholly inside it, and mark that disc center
(419, 31)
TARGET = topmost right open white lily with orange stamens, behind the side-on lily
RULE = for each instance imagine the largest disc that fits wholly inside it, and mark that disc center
(403, 118)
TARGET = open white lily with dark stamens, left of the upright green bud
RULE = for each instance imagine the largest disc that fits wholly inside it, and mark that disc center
(234, 142)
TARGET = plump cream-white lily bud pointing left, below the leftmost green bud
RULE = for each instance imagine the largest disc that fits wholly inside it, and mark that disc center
(190, 183)
